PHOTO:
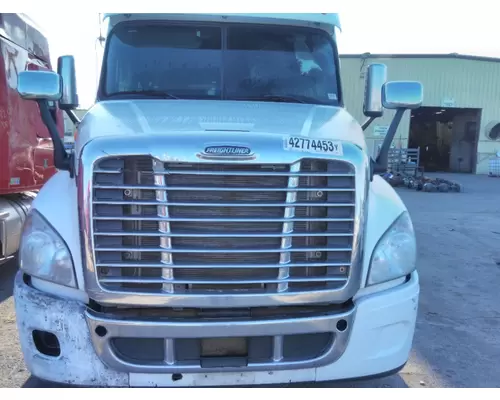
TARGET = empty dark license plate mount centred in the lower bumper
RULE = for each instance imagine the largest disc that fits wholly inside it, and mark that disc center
(224, 352)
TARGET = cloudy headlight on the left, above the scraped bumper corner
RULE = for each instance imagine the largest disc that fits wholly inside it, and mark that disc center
(43, 253)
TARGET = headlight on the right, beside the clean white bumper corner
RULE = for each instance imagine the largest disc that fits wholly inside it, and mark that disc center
(395, 255)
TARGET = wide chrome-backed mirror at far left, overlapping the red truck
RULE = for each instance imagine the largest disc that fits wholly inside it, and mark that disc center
(39, 85)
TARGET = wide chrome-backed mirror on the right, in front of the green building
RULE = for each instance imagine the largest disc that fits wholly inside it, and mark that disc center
(406, 95)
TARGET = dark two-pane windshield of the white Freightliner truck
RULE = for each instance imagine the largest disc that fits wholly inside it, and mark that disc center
(242, 62)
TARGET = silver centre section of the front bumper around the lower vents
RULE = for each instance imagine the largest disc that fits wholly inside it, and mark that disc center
(172, 330)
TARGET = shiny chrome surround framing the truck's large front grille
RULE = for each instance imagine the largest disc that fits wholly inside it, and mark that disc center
(269, 149)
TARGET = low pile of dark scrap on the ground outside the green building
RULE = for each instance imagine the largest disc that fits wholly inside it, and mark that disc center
(422, 183)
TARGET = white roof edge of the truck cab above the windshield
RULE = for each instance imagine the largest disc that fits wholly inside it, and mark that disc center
(326, 21)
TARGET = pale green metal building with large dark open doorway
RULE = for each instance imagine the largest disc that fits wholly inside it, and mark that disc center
(458, 127)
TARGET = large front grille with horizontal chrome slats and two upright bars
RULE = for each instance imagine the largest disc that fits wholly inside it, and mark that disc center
(203, 228)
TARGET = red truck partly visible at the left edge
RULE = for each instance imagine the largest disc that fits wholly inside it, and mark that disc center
(26, 149)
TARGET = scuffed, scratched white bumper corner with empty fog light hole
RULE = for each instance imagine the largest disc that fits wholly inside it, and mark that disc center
(78, 363)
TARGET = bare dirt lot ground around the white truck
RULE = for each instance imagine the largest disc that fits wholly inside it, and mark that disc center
(457, 342)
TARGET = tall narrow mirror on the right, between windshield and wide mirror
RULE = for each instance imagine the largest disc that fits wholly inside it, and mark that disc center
(375, 80)
